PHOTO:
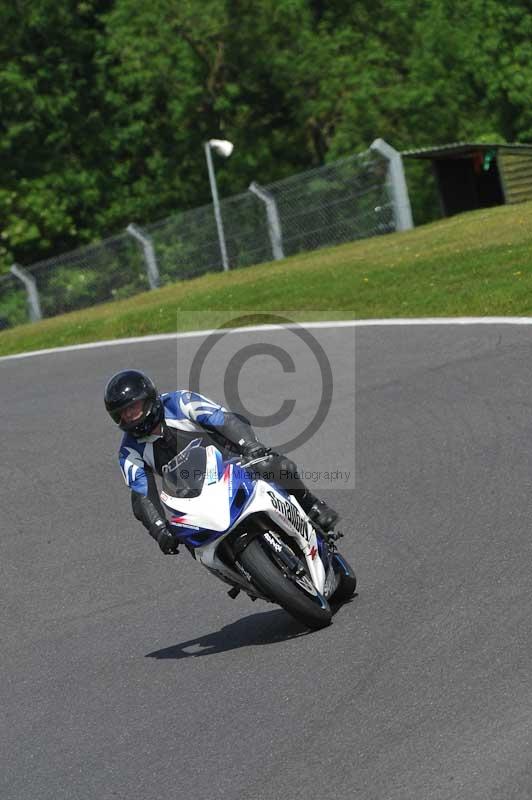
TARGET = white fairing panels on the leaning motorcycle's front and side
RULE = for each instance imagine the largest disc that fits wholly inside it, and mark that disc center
(211, 511)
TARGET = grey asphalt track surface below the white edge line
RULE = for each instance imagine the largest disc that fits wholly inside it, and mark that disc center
(127, 674)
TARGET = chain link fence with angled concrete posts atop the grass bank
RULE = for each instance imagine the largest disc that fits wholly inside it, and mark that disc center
(347, 200)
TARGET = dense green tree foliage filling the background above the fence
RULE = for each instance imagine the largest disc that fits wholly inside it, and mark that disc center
(105, 103)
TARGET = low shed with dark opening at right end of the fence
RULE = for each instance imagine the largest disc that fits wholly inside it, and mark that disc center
(472, 175)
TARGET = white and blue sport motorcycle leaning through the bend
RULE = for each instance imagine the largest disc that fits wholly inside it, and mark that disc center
(253, 535)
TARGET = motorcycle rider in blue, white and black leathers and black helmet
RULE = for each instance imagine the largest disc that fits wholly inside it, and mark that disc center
(158, 426)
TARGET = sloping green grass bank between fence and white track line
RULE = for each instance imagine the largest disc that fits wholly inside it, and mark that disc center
(476, 264)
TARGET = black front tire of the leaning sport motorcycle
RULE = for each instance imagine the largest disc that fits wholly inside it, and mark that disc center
(275, 585)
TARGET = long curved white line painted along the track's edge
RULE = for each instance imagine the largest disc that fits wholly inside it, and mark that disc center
(353, 323)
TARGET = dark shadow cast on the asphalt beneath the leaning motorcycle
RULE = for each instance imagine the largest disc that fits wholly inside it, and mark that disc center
(269, 627)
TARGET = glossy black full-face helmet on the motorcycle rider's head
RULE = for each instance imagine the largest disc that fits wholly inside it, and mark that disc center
(123, 391)
